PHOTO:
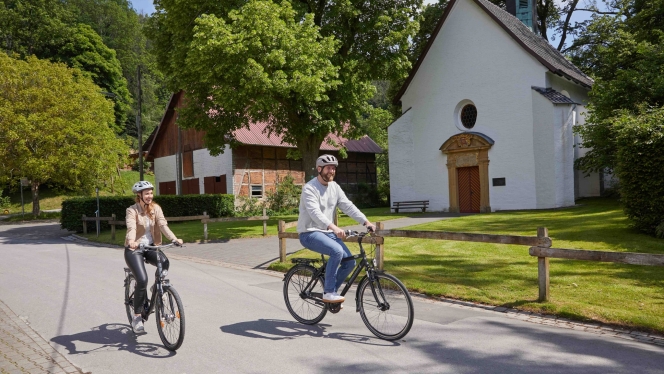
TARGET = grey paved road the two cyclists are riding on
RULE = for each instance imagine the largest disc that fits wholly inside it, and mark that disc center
(72, 295)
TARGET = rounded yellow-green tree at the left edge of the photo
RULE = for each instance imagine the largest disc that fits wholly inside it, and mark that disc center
(55, 126)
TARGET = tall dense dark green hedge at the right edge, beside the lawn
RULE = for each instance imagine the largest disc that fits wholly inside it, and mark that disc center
(640, 167)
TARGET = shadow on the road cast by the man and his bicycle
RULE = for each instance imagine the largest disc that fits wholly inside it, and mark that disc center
(273, 329)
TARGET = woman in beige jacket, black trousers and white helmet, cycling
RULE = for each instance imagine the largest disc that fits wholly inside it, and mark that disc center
(142, 220)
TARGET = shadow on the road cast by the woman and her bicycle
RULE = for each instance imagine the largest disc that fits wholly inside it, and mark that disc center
(110, 337)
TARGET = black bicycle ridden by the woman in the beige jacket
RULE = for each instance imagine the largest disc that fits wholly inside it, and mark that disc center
(164, 302)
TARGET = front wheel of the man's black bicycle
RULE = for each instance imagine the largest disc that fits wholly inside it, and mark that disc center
(386, 307)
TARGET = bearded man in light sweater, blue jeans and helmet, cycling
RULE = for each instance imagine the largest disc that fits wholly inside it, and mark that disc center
(320, 198)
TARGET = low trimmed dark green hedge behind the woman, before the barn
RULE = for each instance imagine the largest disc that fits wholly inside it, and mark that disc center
(172, 205)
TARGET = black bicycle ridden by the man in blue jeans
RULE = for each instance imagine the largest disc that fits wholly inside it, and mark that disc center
(381, 299)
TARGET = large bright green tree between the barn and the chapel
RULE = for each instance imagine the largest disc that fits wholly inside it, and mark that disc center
(305, 68)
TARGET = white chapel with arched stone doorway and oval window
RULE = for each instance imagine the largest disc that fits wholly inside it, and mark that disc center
(487, 118)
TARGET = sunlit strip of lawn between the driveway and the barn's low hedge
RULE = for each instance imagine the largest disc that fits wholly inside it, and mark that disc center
(193, 231)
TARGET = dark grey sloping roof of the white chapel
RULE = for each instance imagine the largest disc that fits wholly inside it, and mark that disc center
(534, 44)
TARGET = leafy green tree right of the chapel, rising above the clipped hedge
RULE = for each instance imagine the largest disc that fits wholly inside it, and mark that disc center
(625, 55)
